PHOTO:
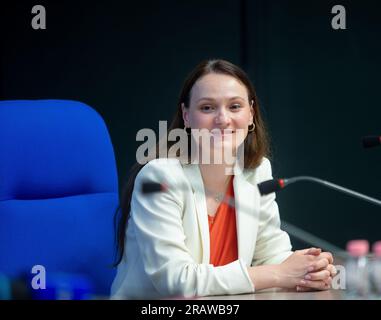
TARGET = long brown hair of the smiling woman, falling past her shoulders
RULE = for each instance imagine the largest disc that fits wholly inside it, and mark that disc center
(256, 145)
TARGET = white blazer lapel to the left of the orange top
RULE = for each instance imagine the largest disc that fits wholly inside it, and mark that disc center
(193, 174)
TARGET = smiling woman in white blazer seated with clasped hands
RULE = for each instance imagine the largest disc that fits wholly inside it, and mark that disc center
(211, 233)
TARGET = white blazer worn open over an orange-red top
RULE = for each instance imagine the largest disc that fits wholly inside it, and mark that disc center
(167, 242)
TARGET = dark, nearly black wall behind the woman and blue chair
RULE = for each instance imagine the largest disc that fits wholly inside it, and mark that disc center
(319, 88)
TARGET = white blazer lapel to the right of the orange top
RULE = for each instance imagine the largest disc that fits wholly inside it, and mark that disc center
(247, 201)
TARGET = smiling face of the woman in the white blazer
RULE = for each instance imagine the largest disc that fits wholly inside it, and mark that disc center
(219, 103)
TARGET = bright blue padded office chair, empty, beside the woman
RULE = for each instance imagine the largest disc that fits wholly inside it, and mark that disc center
(58, 191)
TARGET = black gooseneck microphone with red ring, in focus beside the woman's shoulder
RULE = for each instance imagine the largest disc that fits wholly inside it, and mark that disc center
(274, 185)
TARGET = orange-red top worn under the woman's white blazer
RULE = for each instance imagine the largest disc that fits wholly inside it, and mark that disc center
(223, 232)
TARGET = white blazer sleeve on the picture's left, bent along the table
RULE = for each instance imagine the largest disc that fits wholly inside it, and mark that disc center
(157, 219)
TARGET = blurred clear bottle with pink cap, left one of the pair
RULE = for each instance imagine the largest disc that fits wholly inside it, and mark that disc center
(357, 270)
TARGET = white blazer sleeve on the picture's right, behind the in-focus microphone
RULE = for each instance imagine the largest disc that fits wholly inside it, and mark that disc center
(273, 245)
